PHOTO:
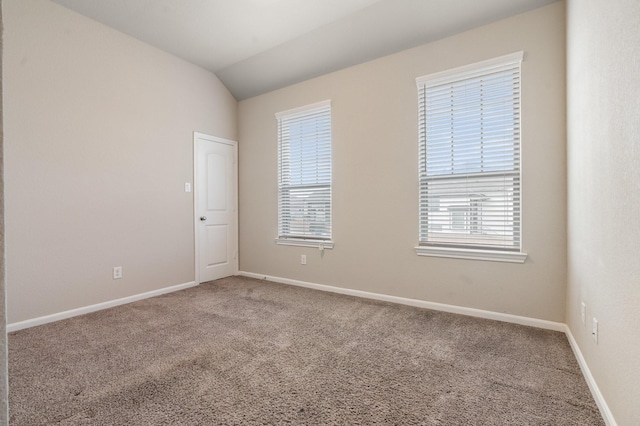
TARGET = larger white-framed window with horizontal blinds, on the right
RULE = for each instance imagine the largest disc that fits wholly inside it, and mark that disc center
(469, 167)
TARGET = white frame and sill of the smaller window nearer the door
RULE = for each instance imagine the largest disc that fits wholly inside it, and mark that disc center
(304, 240)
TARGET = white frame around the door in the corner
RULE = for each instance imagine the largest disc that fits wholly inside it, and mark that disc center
(197, 136)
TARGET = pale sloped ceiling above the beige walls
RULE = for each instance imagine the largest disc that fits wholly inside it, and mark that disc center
(255, 46)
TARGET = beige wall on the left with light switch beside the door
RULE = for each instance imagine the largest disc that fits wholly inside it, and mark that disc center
(98, 146)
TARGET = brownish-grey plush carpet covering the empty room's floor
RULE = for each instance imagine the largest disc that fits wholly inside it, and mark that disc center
(240, 351)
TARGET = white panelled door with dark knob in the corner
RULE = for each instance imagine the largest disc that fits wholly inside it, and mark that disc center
(216, 207)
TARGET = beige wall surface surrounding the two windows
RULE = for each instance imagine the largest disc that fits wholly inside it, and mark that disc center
(375, 205)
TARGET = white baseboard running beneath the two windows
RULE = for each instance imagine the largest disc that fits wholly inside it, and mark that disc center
(515, 319)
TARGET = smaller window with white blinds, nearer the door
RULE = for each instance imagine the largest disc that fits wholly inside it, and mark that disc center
(304, 176)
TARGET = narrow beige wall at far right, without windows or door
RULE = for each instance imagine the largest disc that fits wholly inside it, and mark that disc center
(603, 46)
